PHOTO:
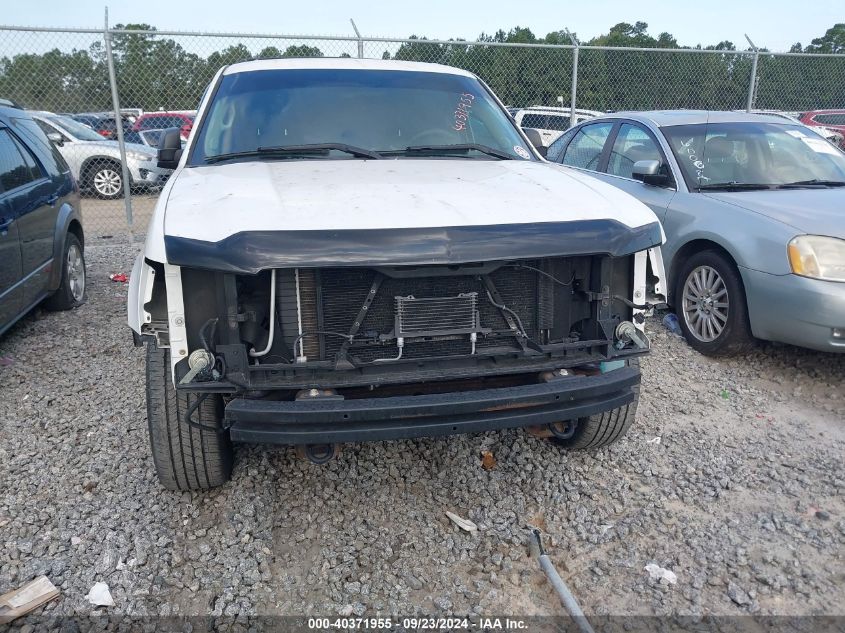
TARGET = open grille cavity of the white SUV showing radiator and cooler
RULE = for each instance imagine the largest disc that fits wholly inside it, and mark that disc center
(438, 312)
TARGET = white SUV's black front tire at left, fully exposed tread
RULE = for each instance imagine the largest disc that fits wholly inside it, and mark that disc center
(186, 457)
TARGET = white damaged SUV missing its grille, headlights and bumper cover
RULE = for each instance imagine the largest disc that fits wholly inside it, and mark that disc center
(354, 250)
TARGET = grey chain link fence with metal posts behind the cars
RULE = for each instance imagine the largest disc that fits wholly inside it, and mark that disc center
(64, 77)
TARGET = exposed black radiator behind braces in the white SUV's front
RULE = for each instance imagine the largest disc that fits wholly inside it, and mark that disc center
(438, 316)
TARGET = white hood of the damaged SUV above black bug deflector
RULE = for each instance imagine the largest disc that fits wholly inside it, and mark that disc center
(211, 203)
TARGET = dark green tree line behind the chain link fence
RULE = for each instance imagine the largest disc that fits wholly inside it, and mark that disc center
(157, 72)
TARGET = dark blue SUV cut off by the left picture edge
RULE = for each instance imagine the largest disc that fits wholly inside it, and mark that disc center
(41, 238)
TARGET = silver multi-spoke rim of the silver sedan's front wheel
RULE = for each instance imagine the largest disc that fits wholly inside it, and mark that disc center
(705, 303)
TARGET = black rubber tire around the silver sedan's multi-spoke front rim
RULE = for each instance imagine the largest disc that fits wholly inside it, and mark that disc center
(735, 335)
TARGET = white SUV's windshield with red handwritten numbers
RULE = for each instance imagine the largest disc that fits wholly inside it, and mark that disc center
(375, 111)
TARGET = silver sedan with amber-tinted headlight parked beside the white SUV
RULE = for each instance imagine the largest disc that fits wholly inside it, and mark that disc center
(753, 207)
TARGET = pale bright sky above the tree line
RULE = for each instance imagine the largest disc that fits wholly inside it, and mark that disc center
(773, 24)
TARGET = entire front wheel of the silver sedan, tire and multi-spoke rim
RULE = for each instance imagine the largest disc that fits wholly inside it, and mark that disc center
(710, 301)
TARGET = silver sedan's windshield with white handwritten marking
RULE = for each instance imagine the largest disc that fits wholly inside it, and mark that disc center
(713, 155)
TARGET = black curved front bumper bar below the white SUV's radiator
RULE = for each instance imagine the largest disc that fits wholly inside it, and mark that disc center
(319, 421)
